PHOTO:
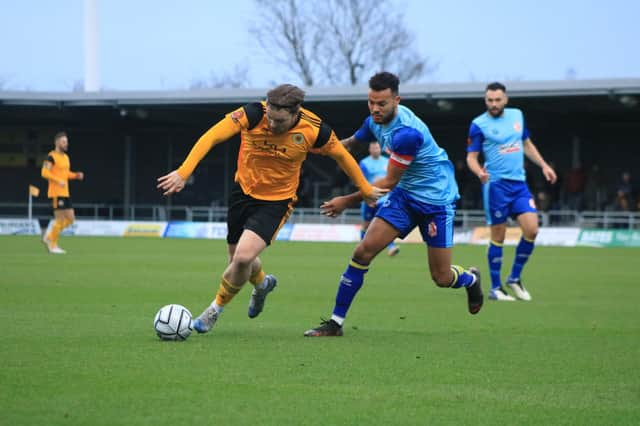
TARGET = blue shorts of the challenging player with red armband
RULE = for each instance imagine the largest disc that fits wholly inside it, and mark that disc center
(404, 213)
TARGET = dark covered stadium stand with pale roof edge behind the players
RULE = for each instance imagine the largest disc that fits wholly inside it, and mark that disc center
(124, 140)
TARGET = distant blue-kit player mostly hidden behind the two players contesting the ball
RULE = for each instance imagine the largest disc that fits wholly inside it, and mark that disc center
(374, 167)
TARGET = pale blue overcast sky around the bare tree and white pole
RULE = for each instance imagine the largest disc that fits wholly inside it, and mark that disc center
(168, 44)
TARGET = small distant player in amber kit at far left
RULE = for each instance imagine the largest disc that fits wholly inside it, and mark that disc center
(57, 170)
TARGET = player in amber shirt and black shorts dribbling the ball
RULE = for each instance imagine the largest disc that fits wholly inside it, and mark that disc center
(275, 137)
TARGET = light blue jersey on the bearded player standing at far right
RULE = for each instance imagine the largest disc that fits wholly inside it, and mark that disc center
(501, 141)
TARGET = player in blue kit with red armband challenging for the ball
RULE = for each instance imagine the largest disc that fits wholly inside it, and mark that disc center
(423, 194)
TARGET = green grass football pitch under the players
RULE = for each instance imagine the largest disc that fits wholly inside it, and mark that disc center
(79, 347)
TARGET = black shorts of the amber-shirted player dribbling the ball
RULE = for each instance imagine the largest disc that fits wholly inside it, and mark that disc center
(263, 217)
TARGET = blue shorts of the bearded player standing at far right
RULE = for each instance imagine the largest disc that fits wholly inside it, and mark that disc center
(506, 198)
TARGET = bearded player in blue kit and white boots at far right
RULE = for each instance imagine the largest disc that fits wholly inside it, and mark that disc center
(502, 137)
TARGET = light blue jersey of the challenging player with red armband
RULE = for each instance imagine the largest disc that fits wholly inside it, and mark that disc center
(429, 175)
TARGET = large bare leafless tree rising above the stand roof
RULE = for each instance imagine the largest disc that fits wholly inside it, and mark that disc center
(337, 41)
